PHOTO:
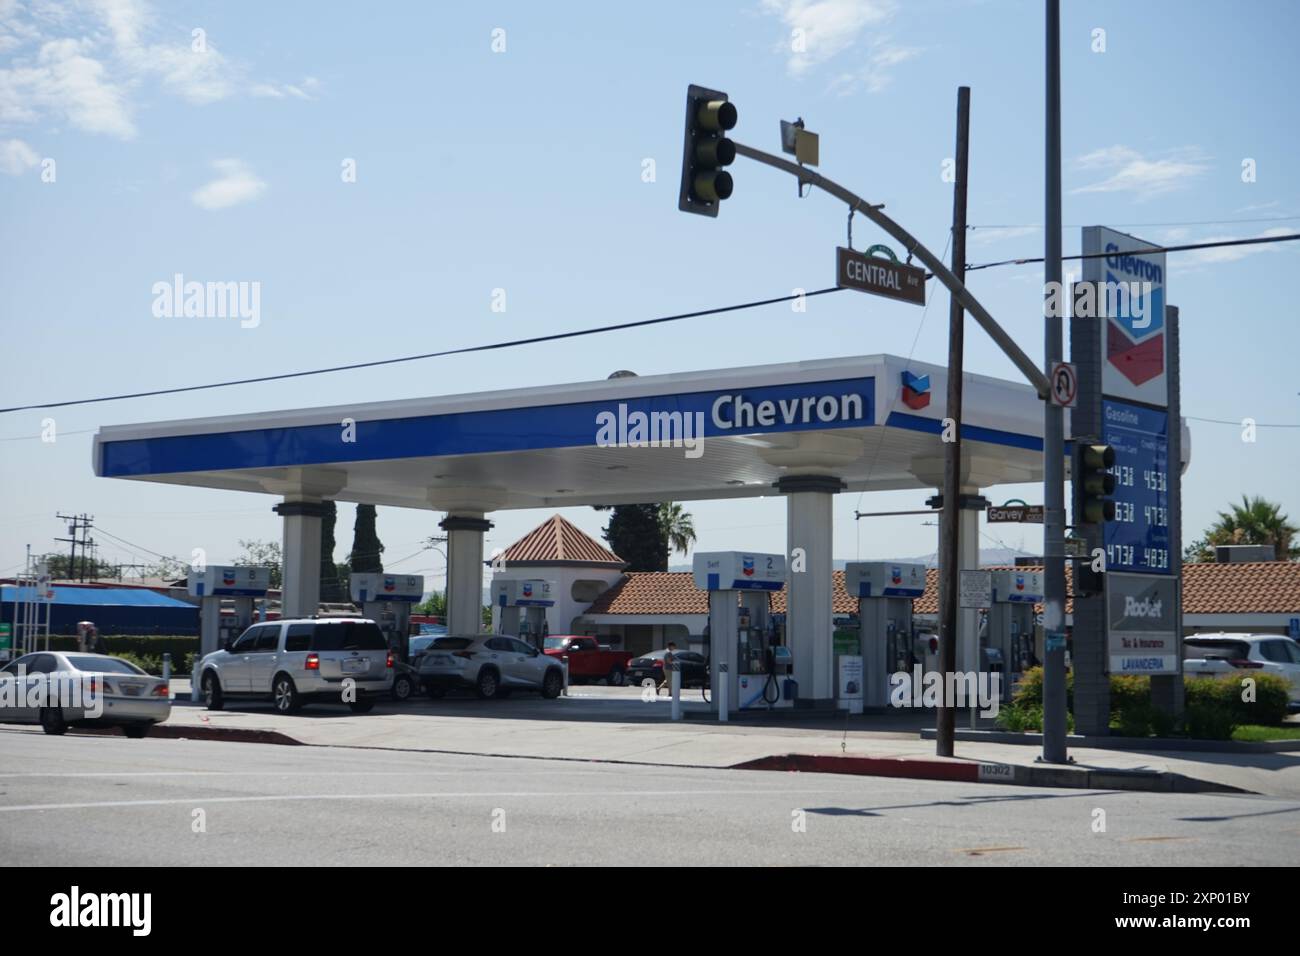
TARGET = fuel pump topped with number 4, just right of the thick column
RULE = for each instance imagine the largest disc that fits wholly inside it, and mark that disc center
(886, 591)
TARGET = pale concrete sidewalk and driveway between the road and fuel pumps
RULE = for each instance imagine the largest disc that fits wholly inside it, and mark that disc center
(616, 725)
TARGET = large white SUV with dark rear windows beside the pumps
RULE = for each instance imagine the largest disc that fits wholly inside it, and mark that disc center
(297, 661)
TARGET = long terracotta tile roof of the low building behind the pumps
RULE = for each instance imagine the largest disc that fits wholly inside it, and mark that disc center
(1262, 589)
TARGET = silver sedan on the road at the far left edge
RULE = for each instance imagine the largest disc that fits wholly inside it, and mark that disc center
(131, 699)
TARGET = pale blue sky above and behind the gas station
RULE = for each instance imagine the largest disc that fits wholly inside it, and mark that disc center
(523, 171)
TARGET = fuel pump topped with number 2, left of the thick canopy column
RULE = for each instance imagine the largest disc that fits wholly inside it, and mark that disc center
(743, 633)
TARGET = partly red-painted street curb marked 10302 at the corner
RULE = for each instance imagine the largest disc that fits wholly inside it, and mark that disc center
(972, 772)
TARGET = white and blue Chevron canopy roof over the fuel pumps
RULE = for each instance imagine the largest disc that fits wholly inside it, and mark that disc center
(861, 419)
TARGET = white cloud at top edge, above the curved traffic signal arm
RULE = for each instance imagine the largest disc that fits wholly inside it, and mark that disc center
(818, 32)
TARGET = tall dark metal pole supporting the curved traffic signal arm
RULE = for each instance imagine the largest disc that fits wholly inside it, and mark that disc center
(1054, 418)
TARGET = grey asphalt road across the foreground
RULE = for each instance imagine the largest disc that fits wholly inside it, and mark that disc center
(107, 801)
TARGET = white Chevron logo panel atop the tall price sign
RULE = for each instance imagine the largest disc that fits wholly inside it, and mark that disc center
(1132, 301)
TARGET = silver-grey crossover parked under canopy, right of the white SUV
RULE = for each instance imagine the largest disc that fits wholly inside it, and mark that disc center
(492, 665)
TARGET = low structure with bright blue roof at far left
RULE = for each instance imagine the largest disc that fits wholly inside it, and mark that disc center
(115, 611)
